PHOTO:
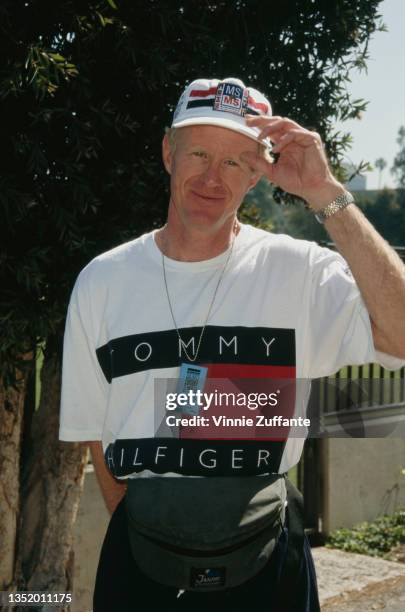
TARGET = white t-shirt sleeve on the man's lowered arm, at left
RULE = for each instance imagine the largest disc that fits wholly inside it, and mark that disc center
(84, 390)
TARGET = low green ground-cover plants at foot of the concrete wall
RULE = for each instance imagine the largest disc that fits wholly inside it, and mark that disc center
(376, 538)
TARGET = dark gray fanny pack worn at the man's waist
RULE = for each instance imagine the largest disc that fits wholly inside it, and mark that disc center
(204, 534)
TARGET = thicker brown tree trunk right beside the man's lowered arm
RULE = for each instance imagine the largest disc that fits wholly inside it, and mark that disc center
(52, 484)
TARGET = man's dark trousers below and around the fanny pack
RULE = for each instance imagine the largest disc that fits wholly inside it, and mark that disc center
(120, 585)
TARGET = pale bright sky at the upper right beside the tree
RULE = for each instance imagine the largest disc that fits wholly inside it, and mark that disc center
(375, 134)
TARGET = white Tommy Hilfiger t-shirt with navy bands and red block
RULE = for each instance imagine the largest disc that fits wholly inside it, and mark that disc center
(285, 308)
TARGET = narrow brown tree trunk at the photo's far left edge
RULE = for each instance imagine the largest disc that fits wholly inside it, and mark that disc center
(11, 419)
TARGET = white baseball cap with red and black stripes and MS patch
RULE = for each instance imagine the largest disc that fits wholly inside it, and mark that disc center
(223, 103)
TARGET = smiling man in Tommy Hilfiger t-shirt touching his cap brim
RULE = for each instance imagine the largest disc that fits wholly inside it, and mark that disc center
(219, 300)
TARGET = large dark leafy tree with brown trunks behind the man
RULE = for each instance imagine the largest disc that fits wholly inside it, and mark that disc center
(86, 90)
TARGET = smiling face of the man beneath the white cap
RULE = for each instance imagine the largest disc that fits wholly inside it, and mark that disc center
(208, 179)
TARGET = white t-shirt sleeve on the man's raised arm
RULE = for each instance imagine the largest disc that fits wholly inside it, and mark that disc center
(338, 329)
